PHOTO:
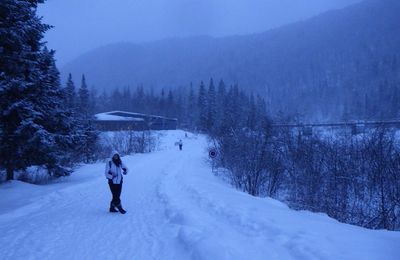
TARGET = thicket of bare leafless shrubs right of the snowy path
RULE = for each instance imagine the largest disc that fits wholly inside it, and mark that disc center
(355, 179)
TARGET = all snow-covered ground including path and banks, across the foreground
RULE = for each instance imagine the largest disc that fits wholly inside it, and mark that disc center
(177, 209)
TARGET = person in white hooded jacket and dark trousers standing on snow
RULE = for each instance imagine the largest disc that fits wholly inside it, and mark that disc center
(115, 170)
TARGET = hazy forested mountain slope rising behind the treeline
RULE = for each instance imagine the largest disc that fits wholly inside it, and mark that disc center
(324, 62)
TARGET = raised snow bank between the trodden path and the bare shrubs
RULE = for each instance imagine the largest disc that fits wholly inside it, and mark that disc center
(218, 222)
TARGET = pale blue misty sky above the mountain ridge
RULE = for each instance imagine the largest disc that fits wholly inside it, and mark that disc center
(81, 25)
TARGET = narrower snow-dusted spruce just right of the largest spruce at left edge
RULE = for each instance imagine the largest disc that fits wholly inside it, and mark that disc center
(57, 121)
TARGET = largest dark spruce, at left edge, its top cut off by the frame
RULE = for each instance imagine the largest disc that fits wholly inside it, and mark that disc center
(29, 91)
